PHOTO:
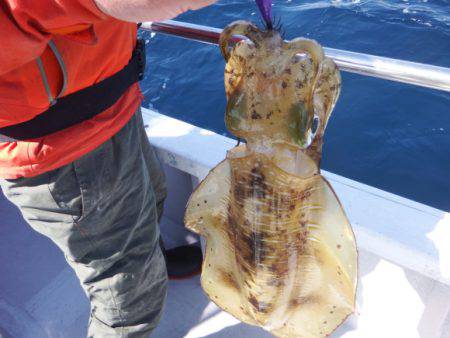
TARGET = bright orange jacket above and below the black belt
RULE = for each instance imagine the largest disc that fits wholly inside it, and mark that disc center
(92, 47)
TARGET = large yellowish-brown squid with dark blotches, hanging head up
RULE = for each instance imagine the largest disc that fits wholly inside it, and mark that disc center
(280, 251)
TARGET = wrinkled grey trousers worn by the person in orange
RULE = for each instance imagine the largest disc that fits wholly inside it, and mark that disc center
(101, 211)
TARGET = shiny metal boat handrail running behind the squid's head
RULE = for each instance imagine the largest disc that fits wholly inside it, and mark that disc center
(418, 74)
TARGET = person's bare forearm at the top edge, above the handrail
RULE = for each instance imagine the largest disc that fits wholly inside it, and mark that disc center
(149, 10)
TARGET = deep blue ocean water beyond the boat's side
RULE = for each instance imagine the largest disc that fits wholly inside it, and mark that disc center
(389, 135)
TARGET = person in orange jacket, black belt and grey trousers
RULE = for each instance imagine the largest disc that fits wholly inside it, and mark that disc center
(74, 155)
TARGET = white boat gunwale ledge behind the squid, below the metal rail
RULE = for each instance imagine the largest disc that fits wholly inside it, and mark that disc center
(410, 234)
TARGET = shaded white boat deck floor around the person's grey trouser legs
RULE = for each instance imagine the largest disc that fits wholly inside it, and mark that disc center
(40, 295)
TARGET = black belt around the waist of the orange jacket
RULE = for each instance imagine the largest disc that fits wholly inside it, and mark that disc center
(81, 105)
